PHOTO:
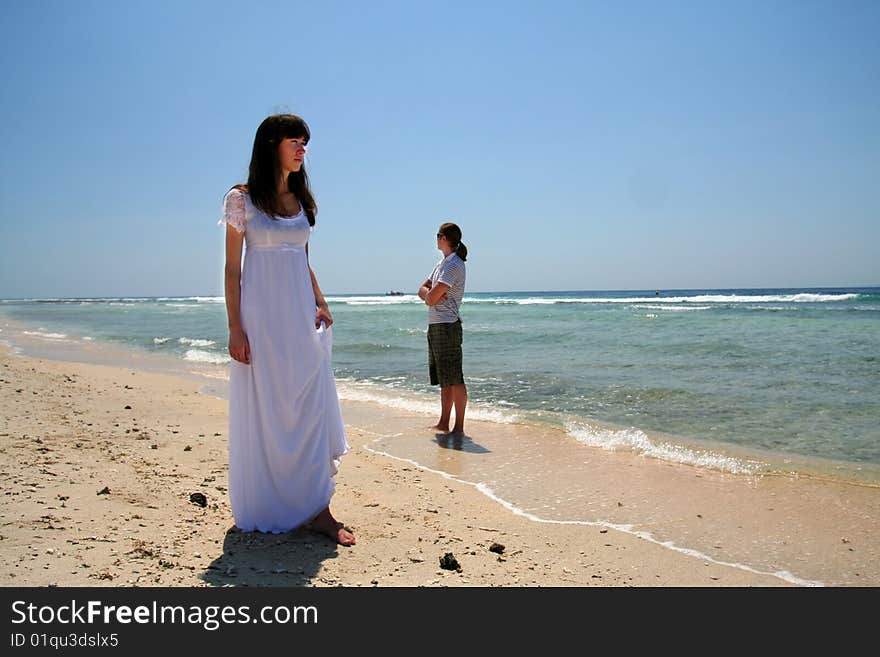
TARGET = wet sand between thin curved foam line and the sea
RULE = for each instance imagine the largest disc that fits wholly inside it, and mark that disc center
(800, 529)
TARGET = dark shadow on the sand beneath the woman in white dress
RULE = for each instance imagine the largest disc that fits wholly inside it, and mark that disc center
(258, 559)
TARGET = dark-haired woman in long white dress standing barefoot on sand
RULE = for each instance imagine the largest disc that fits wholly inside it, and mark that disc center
(286, 434)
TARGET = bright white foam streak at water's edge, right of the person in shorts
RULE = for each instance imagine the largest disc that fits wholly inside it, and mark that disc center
(637, 441)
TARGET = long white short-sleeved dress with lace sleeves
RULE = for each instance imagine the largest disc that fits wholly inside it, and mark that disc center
(286, 434)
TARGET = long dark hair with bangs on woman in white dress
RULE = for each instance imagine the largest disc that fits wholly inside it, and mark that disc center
(264, 169)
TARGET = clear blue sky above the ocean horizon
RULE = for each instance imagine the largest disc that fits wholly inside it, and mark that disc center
(579, 145)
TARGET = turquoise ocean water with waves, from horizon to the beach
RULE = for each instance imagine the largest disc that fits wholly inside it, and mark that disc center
(726, 379)
